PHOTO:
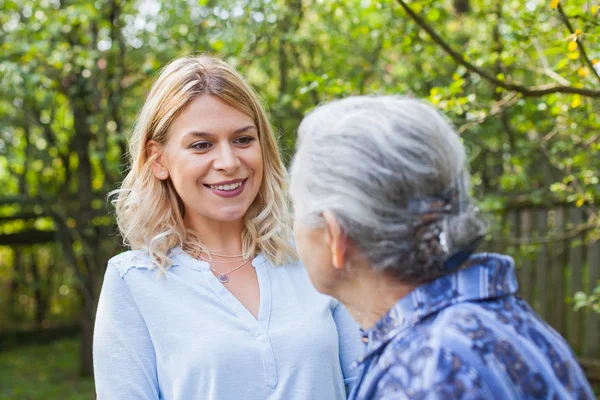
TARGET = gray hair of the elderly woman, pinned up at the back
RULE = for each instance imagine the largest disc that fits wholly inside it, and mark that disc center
(369, 160)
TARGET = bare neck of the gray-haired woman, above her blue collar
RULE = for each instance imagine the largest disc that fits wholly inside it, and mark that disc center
(369, 295)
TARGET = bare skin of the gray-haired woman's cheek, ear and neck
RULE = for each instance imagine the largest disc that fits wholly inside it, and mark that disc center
(337, 269)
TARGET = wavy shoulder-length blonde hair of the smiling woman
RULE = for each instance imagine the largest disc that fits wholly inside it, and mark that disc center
(149, 211)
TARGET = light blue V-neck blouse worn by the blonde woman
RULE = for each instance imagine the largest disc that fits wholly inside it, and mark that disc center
(185, 336)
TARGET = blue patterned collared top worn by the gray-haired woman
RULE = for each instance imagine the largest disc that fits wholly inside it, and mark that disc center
(467, 335)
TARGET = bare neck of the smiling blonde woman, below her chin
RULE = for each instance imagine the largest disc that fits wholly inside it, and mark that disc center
(224, 237)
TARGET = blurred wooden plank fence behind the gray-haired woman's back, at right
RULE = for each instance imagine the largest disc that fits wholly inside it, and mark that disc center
(555, 257)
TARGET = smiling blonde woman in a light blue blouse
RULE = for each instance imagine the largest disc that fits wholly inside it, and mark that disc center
(211, 302)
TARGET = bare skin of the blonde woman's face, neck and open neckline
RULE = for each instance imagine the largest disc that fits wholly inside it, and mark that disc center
(213, 143)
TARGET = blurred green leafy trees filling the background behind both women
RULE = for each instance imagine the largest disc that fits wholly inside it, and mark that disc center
(520, 80)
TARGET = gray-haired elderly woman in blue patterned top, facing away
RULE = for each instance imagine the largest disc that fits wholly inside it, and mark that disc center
(384, 224)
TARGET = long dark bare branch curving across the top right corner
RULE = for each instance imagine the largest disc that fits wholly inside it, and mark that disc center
(524, 90)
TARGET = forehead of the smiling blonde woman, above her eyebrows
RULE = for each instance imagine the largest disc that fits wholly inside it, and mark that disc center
(211, 115)
